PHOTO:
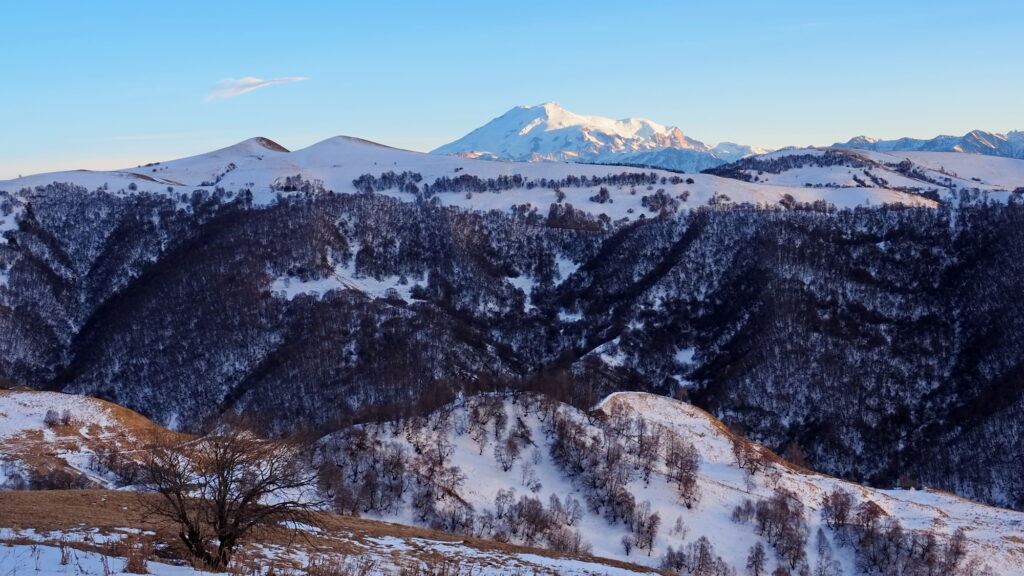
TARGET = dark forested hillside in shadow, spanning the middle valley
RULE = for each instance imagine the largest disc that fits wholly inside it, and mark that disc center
(882, 344)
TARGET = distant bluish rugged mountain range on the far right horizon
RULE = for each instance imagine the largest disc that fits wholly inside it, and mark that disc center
(977, 142)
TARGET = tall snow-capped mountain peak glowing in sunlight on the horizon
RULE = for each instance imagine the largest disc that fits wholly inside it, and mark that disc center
(549, 133)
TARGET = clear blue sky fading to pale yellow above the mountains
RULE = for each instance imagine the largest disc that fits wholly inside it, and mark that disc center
(115, 85)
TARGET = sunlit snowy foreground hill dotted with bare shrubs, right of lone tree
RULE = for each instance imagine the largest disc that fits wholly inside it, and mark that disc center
(611, 483)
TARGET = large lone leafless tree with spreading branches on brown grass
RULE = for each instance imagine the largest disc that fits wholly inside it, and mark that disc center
(223, 487)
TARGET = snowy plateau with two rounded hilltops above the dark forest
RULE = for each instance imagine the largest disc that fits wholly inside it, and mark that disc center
(267, 170)
